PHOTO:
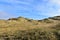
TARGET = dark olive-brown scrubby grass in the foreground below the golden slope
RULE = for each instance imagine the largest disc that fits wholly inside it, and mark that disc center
(33, 34)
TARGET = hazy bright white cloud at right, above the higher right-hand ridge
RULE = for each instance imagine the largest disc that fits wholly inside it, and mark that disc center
(48, 8)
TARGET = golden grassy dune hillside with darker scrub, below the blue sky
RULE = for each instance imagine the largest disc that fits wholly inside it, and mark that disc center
(28, 29)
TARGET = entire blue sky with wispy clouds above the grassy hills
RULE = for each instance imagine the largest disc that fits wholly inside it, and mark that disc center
(34, 9)
